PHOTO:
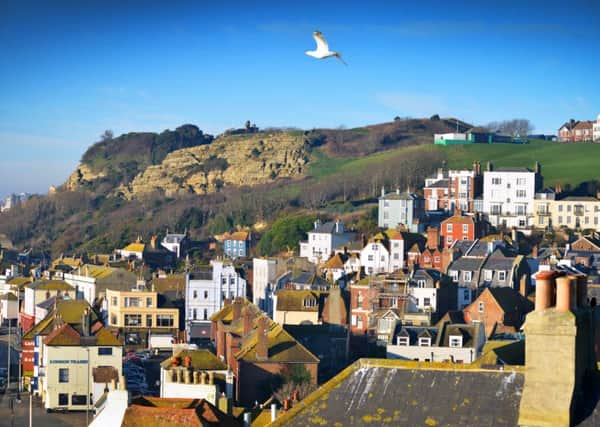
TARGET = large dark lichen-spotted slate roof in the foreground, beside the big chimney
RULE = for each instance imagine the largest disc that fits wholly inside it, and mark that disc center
(392, 392)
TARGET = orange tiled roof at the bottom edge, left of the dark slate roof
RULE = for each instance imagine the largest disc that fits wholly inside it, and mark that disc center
(160, 412)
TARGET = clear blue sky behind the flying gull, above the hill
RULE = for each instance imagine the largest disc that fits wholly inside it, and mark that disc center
(71, 69)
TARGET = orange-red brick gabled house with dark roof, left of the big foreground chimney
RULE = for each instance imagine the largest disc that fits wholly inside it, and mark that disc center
(500, 309)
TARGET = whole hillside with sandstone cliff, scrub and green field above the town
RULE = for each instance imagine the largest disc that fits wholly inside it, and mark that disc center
(256, 178)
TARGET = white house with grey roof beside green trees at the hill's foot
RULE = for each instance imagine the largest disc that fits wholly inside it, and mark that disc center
(322, 241)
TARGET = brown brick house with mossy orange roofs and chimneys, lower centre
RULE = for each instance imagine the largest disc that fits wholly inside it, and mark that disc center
(258, 350)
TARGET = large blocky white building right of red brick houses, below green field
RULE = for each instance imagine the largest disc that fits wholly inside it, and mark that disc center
(508, 196)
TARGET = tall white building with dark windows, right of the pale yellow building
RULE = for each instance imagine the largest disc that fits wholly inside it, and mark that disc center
(205, 294)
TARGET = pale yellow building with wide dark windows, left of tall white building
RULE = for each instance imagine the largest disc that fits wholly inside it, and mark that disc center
(136, 314)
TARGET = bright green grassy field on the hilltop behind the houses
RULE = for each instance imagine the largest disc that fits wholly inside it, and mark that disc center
(571, 163)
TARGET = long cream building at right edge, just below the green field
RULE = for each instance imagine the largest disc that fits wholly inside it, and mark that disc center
(570, 212)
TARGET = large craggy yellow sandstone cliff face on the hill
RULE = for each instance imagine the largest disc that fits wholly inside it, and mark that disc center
(232, 160)
